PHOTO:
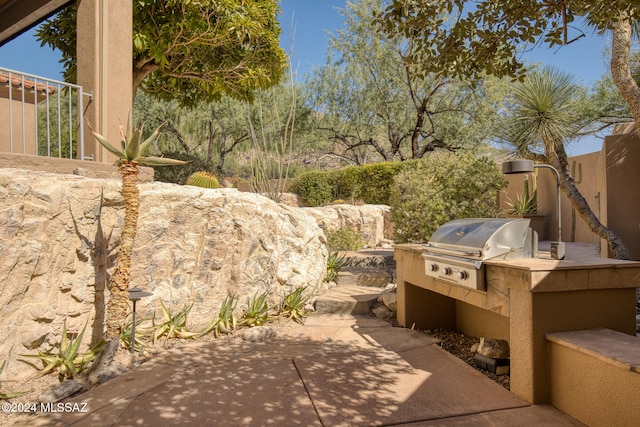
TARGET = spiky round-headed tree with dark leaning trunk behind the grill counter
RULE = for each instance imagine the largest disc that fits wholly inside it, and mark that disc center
(542, 119)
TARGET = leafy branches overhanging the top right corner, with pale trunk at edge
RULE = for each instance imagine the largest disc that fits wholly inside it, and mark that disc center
(468, 40)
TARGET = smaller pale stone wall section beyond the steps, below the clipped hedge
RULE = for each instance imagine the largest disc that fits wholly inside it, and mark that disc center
(373, 222)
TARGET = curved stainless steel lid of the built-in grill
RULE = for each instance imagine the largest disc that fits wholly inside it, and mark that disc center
(481, 238)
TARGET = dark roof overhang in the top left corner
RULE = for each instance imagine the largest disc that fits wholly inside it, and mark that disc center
(17, 16)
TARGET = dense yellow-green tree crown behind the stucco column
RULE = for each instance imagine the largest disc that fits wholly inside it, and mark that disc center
(191, 51)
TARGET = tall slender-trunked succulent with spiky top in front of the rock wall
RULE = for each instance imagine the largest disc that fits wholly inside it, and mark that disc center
(130, 158)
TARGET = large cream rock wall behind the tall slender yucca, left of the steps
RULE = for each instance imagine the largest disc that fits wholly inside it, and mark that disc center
(59, 236)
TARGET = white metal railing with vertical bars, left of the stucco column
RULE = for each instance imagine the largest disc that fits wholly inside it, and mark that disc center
(41, 116)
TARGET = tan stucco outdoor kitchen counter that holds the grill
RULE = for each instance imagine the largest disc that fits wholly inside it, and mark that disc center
(524, 300)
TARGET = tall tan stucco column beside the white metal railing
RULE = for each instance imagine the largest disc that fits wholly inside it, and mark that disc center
(105, 64)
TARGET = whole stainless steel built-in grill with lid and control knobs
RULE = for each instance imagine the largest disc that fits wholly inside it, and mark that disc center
(457, 250)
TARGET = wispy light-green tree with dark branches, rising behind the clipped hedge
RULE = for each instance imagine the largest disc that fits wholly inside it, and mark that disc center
(374, 99)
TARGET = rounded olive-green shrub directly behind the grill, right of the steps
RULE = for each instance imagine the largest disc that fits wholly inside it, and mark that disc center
(442, 187)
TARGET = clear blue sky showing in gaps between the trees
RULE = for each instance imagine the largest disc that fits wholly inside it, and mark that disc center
(309, 21)
